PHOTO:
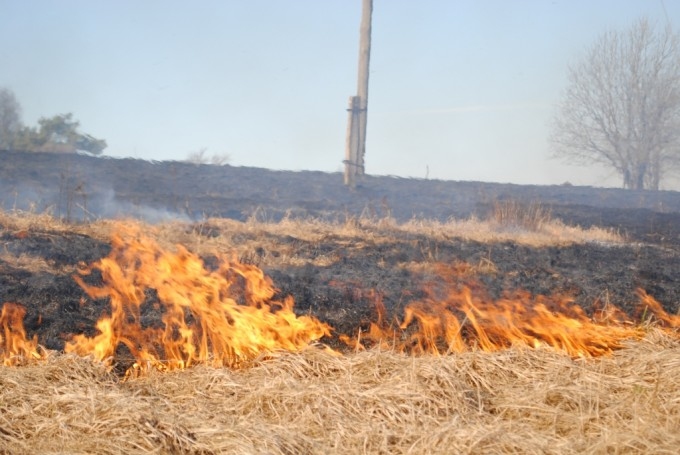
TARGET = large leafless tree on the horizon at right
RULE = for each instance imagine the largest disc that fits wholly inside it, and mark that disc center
(622, 106)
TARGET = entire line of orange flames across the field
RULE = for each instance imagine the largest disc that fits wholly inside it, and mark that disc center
(168, 310)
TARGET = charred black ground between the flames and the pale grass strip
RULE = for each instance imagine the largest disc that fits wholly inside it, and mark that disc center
(343, 292)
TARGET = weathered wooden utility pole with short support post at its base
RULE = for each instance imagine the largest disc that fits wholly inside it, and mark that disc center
(355, 147)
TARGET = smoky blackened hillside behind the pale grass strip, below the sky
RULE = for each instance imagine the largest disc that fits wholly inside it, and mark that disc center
(77, 187)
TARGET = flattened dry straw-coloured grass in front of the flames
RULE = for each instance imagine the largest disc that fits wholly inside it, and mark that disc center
(514, 401)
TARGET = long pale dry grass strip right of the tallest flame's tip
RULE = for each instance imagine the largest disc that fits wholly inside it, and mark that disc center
(355, 232)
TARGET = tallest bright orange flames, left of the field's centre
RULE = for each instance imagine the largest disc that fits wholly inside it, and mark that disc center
(222, 317)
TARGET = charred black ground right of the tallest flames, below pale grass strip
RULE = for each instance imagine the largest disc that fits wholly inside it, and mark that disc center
(342, 293)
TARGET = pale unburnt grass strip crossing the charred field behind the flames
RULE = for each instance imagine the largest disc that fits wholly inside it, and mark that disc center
(531, 225)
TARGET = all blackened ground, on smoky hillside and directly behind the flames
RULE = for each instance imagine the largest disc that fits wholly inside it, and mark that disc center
(343, 291)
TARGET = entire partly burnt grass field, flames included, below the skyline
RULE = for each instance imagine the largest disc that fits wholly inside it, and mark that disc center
(509, 324)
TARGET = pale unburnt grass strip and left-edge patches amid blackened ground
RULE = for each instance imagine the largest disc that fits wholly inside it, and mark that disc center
(278, 243)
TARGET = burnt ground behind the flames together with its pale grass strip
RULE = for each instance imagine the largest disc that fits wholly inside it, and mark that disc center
(337, 273)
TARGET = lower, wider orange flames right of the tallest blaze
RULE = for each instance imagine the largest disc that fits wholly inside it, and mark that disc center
(465, 319)
